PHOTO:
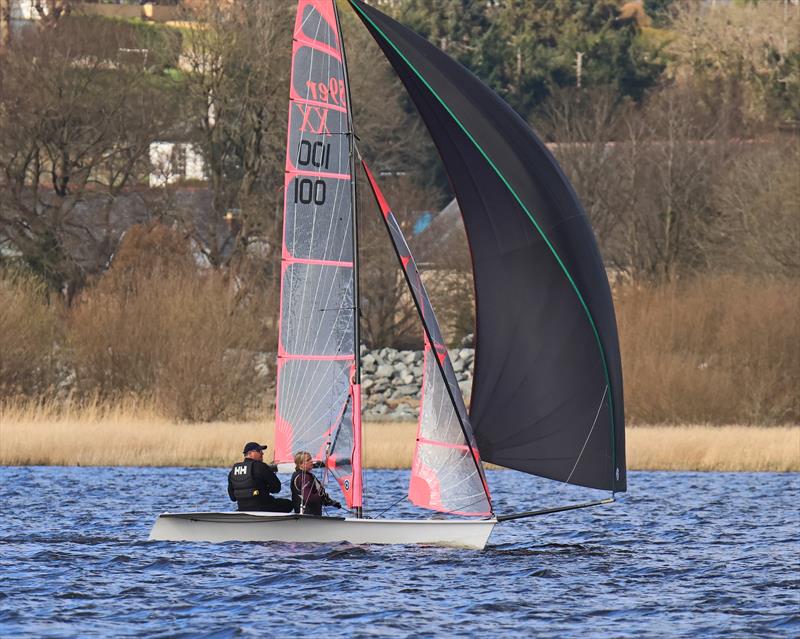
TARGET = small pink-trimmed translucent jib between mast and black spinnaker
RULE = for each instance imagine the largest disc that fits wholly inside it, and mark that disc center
(446, 473)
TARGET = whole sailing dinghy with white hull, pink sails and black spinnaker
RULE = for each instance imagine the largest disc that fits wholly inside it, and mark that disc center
(547, 384)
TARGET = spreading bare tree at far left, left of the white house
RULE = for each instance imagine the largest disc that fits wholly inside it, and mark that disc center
(75, 128)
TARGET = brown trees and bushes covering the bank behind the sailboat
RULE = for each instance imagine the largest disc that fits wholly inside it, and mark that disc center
(677, 122)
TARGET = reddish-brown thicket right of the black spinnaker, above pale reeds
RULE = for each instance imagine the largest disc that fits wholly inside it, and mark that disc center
(721, 350)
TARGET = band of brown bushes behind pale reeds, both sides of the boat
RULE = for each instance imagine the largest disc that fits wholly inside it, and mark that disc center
(716, 350)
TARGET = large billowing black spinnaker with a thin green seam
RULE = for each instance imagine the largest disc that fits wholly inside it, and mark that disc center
(547, 391)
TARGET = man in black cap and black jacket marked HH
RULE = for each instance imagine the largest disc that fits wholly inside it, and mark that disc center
(251, 481)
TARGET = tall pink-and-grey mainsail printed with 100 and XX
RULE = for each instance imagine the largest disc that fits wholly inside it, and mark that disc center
(317, 408)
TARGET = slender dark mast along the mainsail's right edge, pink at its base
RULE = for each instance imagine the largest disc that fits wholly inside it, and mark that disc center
(357, 429)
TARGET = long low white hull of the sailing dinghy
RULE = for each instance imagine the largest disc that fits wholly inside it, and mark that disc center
(258, 526)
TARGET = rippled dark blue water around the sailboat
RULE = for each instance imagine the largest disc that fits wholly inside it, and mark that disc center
(683, 554)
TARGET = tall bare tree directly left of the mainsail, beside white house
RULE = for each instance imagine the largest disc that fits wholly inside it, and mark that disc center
(237, 55)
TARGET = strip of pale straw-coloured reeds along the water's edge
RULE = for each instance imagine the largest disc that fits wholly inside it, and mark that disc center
(138, 436)
